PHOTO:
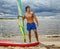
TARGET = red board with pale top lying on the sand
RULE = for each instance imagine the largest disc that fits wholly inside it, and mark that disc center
(14, 44)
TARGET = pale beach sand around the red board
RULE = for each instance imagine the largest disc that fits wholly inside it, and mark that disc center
(46, 42)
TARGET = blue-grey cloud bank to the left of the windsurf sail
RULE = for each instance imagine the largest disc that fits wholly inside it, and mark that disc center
(8, 7)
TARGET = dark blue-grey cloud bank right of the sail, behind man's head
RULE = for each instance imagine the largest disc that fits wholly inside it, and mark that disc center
(43, 5)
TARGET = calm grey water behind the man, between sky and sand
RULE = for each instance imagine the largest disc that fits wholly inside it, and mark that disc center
(47, 26)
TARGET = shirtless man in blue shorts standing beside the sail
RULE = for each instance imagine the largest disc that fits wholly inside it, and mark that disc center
(30, 17)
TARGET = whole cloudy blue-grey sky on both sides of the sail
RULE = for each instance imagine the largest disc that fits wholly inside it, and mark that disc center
(42, 8)
